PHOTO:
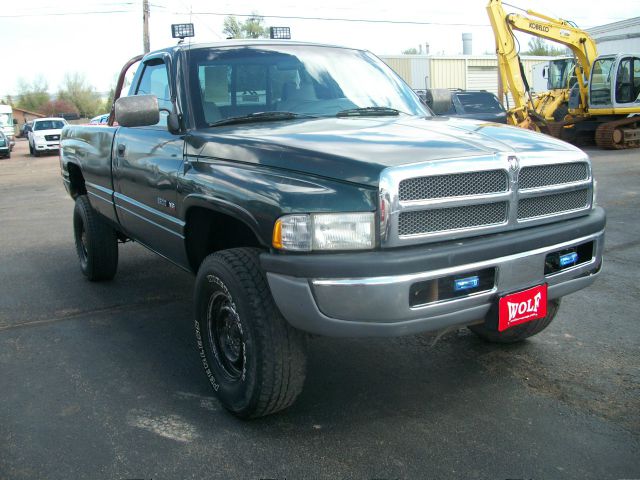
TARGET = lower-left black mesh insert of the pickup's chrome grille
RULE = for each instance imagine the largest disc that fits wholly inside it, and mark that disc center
(455, 218)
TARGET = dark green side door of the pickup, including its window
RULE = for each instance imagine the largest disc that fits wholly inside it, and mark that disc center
(146, 163)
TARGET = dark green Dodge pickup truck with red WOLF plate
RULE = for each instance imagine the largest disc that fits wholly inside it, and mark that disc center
(310, 191)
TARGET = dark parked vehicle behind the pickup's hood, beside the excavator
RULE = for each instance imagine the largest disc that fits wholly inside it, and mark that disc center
(472, 104)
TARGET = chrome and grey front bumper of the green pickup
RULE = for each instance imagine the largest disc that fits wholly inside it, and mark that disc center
(368, 294)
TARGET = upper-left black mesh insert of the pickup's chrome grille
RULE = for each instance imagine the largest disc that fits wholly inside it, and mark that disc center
(454, 185)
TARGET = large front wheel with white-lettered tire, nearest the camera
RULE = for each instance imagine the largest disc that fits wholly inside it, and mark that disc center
(254, 360)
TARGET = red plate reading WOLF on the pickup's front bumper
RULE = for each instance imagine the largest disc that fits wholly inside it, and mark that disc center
(522, 307)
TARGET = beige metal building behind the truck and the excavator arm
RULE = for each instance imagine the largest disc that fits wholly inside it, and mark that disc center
(467, 72)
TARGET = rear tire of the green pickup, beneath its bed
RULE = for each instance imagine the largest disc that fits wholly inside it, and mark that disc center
(96, 242)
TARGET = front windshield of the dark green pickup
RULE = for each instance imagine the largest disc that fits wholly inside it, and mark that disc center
(306, 80)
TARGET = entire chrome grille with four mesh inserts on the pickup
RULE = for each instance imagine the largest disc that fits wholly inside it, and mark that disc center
(468, 196)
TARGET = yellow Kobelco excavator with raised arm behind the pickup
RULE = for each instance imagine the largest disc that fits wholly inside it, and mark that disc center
(599, 98)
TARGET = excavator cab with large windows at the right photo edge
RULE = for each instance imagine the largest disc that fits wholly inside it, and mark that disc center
(615, 84)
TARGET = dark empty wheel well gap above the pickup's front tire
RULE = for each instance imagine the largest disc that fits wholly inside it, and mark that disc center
(208, 231)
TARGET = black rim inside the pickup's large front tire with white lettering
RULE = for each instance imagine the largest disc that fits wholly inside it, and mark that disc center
(226, 337)
